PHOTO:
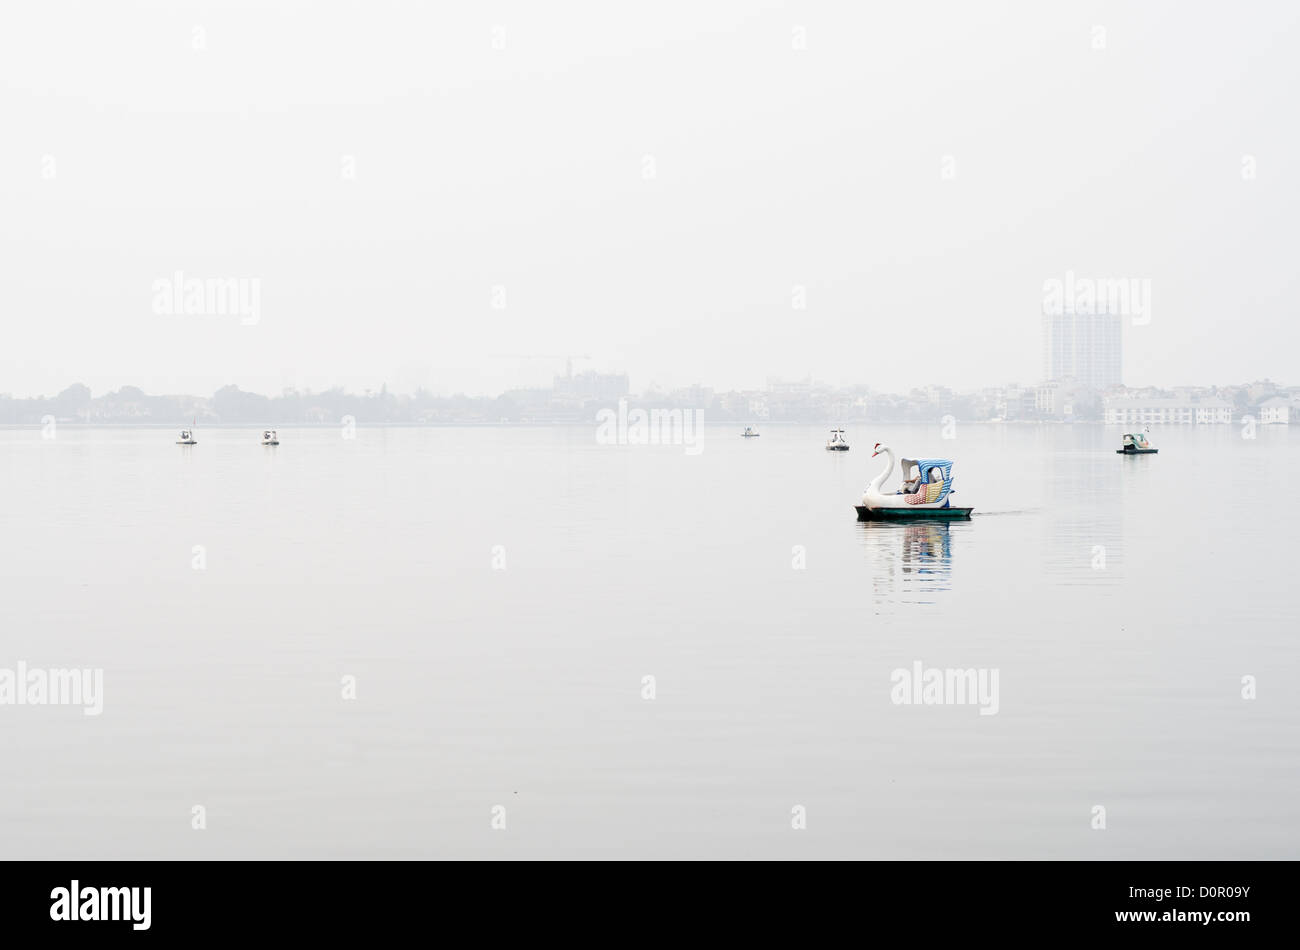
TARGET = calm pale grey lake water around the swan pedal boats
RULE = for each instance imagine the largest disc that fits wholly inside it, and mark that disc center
(1121, 600)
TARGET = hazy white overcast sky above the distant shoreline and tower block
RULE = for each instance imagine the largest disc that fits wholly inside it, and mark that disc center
(380, 168)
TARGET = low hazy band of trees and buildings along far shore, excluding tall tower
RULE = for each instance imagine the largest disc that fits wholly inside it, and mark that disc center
(578, 398)
